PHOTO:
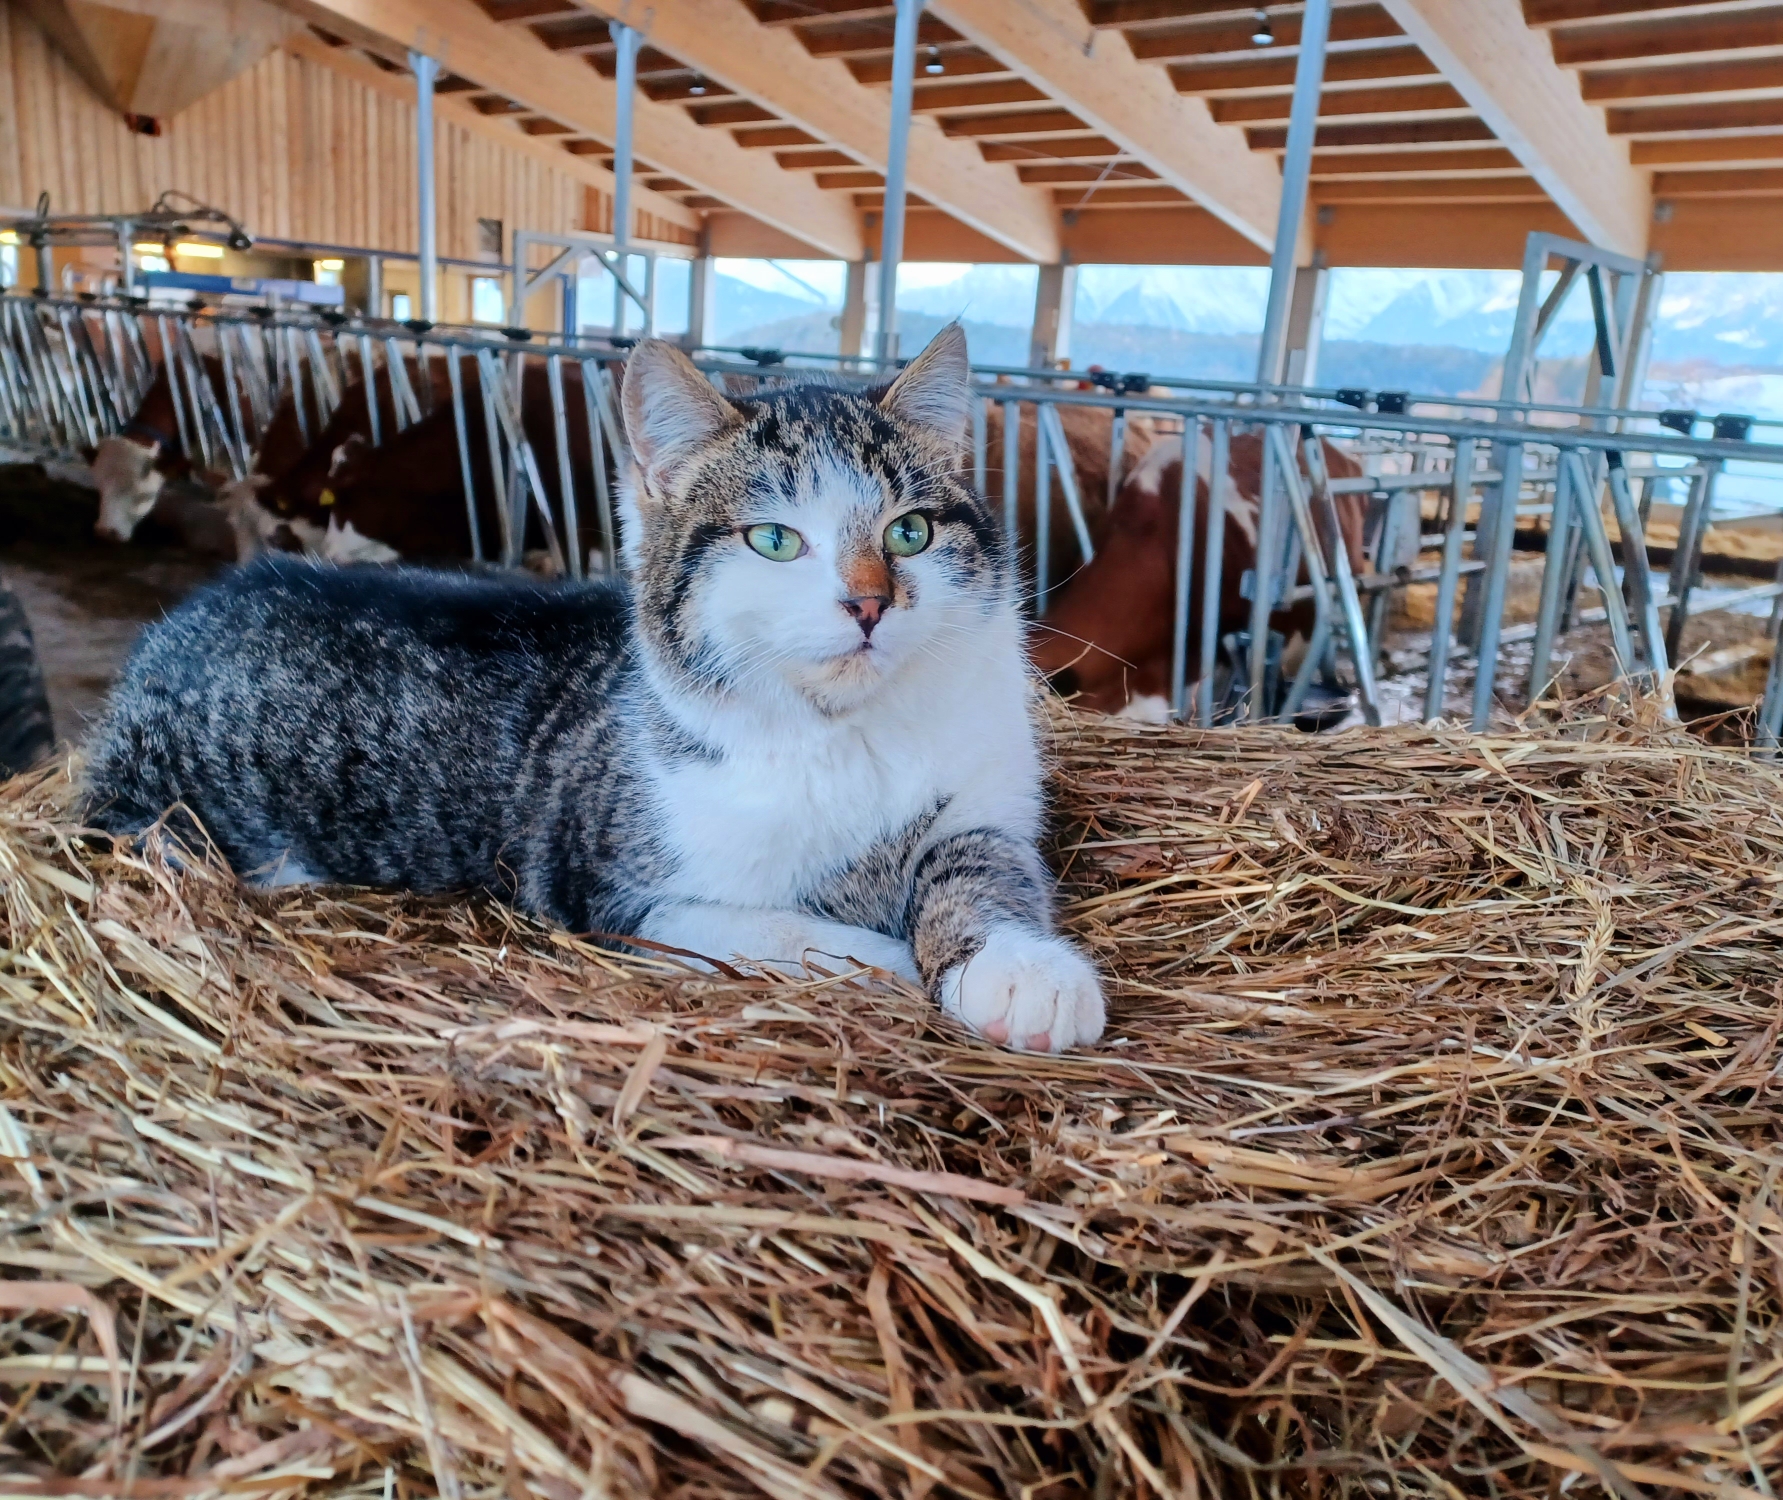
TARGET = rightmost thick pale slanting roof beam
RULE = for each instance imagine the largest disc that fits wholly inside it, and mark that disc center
(1509, 76)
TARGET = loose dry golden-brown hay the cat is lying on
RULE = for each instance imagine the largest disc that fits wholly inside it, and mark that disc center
(1434, 1151)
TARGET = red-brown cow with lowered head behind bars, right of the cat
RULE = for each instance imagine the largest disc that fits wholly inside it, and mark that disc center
(1106, 639)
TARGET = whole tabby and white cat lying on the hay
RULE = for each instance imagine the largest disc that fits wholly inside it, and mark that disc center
(803, 729)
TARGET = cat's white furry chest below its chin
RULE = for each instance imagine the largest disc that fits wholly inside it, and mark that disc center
(762, 827)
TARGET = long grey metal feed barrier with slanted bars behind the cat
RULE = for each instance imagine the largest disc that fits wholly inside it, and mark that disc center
(74, 372)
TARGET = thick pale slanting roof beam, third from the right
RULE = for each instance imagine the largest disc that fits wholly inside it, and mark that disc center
(773, 69)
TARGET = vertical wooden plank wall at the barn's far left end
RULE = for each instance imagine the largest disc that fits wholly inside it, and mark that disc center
(290, 147)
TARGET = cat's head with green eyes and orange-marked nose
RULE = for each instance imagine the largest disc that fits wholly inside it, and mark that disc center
(807, 540)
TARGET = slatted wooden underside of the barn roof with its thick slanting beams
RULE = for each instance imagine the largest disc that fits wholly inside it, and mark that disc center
(1154, 129)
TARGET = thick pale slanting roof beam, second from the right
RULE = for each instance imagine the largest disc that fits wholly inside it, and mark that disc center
(1137, 106)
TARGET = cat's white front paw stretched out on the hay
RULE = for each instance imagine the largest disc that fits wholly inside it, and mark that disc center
(1026, 991)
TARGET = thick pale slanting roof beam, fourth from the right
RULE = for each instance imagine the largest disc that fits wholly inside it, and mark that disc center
(520, 67)
